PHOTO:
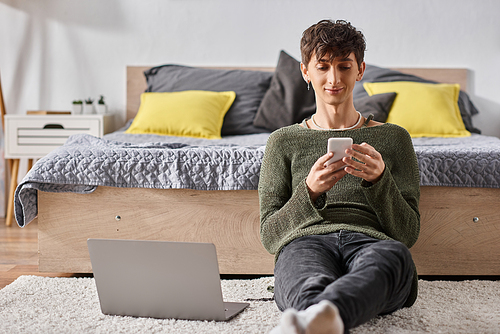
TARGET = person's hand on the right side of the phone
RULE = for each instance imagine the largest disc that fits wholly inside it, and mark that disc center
(371, 165)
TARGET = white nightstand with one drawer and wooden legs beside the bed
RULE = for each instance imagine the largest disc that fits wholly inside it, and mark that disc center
(33, 136)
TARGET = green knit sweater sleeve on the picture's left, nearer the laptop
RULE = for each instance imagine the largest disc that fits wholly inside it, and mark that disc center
(282, 209)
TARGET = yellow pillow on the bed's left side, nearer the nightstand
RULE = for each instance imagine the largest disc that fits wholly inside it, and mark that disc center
(191, 113)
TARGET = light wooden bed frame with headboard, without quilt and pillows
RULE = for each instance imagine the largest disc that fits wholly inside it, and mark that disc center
(460, 227)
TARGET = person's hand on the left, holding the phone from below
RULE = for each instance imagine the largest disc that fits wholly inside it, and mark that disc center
(322, 178)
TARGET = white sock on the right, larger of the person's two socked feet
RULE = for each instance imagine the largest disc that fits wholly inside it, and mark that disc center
(322, 318)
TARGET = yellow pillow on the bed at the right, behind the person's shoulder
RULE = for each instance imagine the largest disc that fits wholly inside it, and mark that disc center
(423, 109)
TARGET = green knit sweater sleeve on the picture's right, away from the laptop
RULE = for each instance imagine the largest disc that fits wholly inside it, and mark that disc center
(395, 197)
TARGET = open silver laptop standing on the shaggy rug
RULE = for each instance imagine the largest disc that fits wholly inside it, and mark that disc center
(159, 279)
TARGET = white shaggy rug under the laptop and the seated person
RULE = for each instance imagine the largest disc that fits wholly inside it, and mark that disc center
(34, 304)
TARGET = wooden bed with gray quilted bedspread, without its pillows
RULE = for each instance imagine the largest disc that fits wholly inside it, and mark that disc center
(460, 225)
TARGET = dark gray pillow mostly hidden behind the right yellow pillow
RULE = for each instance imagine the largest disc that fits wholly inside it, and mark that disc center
(380, 74)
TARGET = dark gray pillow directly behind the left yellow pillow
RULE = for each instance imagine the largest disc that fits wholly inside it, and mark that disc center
(250, 87)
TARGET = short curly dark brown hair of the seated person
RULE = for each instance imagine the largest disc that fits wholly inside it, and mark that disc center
(333, 38)
